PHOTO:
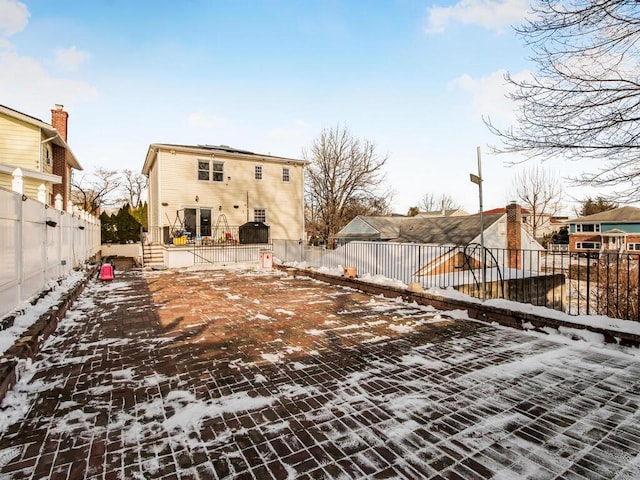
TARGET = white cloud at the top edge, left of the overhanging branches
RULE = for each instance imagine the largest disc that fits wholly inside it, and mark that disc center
(490, 14)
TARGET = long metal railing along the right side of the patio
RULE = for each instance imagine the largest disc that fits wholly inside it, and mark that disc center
(576, 284)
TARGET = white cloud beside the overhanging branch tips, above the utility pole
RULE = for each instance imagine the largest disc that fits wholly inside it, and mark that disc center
(489, 94)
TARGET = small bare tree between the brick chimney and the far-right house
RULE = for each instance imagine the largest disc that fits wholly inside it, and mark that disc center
(540, 191)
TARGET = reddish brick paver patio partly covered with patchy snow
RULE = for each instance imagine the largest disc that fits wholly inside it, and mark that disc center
(219, 374)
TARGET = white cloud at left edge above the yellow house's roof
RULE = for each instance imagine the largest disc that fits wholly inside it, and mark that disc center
(30, 87)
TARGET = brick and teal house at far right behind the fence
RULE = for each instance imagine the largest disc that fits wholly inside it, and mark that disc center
(613, 231)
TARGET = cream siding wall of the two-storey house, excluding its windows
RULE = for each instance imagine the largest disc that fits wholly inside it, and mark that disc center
(174, 181)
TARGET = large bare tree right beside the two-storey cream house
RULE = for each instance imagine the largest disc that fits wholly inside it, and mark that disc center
(344, 172)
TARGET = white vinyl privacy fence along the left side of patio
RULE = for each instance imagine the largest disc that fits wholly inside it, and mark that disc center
(38, 244)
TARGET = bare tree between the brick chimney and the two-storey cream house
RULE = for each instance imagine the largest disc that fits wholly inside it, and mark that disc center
(93, 192)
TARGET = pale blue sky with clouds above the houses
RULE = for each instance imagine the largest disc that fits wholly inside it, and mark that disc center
(415, 77)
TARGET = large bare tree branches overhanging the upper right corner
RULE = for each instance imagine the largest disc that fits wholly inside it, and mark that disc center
(583, 101)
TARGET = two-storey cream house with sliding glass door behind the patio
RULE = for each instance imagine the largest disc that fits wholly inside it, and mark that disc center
(203, 186)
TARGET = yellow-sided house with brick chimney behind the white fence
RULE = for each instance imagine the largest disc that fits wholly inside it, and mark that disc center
(41, 152)
